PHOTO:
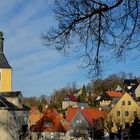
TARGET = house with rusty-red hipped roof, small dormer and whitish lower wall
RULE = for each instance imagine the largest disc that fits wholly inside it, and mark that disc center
(50, 126)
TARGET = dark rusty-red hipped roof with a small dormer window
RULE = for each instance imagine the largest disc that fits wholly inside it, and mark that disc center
(51, 115)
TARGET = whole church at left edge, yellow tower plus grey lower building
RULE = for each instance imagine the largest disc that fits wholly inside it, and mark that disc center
(14, 120)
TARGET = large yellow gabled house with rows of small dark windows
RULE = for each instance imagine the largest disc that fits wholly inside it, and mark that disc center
(122, 114)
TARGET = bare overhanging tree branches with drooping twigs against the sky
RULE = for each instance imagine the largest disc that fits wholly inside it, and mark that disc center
(96, 28)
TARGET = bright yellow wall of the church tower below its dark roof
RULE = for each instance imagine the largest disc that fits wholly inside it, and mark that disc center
(6, 80)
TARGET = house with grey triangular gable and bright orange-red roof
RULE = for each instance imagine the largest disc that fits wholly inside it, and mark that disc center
(80, 122)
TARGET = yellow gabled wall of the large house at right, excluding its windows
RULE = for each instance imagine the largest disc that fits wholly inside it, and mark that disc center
(122, 119)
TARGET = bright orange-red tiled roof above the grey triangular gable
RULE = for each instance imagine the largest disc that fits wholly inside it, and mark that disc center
(90, 114)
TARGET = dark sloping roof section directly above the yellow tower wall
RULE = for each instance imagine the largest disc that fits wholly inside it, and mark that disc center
(3, 61)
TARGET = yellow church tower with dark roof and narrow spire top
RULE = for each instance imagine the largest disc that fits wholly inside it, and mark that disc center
(5, 70)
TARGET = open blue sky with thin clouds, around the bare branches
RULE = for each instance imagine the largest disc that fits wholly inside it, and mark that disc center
(38, 70)
